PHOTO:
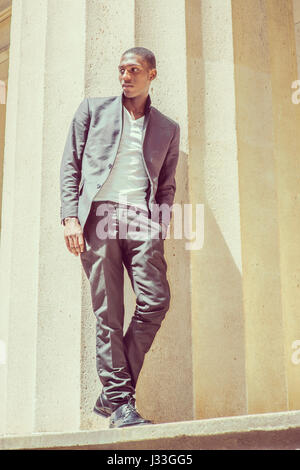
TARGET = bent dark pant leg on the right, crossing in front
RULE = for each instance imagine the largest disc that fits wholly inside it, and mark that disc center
(147, 268)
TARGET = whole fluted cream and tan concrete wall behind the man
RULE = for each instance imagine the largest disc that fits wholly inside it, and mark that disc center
(226, 344)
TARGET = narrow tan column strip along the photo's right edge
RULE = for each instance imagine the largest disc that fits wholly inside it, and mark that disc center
(286, 122)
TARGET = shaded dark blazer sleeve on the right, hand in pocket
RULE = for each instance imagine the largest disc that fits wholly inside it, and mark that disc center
(166, 181)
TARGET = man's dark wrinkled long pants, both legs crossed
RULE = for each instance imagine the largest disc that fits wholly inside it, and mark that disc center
(119, 357)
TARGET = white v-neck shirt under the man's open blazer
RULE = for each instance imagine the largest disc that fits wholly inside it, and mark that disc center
(128, 179)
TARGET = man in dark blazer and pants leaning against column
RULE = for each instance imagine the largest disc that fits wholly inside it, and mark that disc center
(120, 157)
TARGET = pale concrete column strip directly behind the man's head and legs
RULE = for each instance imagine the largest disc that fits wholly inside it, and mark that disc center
(109, 32)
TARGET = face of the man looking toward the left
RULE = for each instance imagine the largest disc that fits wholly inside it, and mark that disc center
(134, 75)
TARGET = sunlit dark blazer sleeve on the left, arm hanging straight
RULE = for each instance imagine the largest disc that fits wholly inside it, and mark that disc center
(70, 168)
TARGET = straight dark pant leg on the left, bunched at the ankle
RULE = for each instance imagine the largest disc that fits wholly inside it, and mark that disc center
(102, 262)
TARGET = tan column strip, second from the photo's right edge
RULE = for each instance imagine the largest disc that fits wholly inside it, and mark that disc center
(265, 367)
